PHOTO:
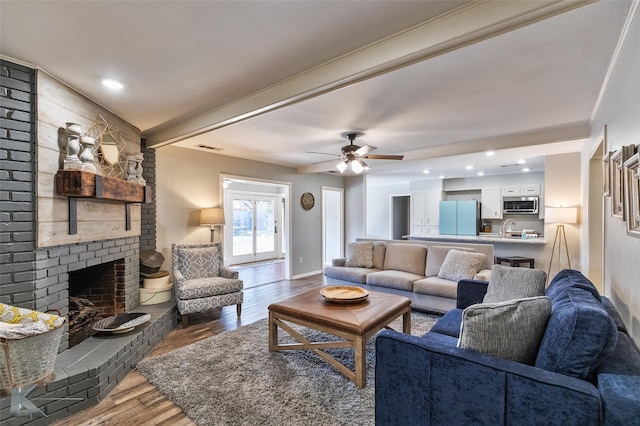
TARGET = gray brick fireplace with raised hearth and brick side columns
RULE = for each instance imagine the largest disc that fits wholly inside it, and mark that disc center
(42, 278)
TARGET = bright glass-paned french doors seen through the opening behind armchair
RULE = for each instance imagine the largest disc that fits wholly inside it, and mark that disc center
(254, 227)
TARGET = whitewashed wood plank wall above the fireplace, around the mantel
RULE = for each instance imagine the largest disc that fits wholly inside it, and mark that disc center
(57, 104)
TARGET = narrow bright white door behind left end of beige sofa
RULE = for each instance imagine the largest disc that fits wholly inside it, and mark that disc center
(332, 224)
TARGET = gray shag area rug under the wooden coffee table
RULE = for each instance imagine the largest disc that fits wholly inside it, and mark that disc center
(233, 379)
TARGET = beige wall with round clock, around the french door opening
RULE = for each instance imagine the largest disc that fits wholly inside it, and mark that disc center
(188, 180)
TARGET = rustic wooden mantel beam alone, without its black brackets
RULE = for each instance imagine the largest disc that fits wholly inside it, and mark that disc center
(81, 184)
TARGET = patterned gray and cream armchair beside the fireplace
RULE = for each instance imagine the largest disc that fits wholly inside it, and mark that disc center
(202, 282)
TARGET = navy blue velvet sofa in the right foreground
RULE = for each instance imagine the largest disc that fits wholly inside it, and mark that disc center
(428, 380)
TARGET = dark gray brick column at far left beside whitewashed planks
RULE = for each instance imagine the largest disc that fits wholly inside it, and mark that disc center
(17, 184)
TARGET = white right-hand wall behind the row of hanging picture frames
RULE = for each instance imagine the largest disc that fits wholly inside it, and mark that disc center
(619, 110)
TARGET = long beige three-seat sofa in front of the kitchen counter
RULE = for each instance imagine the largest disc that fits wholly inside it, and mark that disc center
(424, 271)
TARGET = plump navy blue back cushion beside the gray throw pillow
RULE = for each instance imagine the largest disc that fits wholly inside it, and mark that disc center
(580, 334)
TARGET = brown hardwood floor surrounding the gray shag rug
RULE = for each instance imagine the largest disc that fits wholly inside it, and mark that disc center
(135, 401)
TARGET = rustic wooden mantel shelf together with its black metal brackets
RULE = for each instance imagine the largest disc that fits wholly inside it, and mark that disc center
(80, 184)
